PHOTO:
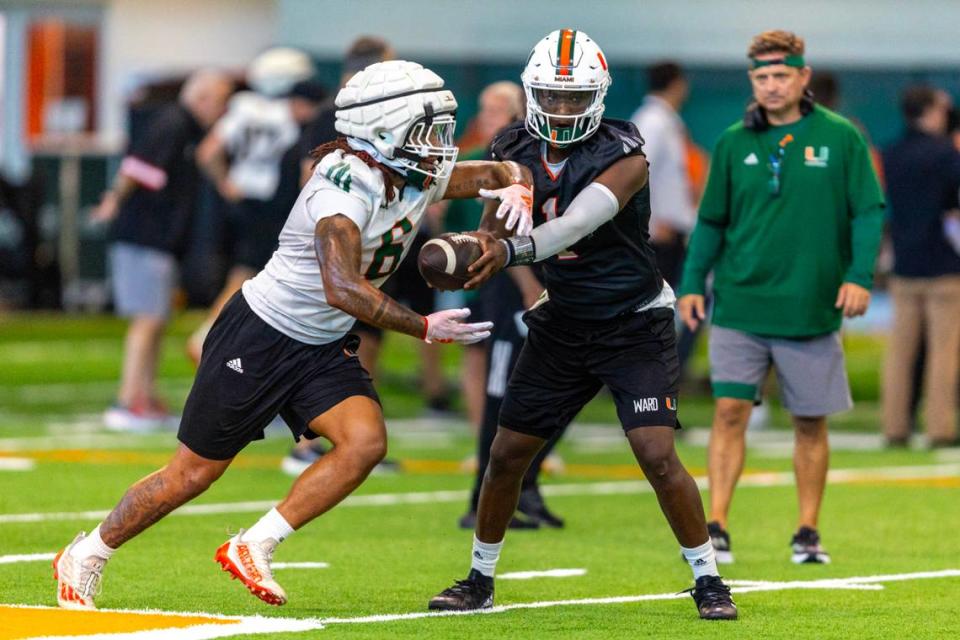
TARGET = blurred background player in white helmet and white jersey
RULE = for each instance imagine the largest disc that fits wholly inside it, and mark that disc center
(250, 156)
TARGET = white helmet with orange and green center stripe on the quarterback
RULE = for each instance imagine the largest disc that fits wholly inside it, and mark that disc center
(566, 67)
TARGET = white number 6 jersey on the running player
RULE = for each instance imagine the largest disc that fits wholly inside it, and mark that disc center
(288, 294)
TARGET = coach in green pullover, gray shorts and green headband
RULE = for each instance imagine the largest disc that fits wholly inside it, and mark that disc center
(790, 224)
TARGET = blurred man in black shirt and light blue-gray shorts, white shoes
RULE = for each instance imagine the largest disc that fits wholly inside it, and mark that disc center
(151, 204)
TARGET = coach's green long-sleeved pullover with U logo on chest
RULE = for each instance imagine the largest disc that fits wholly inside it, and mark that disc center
(779, 258)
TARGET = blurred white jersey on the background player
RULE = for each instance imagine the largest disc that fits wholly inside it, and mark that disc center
(258, 131)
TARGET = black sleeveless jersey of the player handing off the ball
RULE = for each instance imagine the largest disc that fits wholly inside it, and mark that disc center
(614, 268)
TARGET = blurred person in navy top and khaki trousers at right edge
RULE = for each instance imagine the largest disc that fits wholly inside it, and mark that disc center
(922, 170)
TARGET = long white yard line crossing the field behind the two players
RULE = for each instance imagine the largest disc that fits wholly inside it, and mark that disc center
(772, 479)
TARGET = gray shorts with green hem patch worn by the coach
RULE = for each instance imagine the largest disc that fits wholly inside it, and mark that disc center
(812, 375)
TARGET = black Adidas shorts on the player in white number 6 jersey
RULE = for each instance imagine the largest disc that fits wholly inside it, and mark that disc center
(250, 373)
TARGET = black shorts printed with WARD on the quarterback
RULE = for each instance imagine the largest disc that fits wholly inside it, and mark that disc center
(564, 364)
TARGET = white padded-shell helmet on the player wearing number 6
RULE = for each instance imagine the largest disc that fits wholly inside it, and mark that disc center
(403, 110)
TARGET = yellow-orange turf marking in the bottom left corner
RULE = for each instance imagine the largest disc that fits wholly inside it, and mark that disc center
(29, 623)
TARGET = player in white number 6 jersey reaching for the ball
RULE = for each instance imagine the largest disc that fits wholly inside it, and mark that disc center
(281, 346)
